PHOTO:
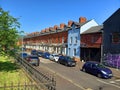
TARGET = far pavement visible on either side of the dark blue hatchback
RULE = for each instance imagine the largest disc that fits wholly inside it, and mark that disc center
(116, 72)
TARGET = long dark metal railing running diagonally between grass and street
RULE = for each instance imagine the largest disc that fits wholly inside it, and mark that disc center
(42, 79)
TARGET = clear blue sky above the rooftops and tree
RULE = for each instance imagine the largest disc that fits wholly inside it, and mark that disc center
(36, 15)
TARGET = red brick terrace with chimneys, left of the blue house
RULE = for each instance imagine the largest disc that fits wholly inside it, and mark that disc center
(53, 39)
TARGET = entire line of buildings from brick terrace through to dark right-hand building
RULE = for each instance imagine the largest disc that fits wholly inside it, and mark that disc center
(85, 39)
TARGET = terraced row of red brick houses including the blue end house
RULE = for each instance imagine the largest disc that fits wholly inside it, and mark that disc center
(63, 39)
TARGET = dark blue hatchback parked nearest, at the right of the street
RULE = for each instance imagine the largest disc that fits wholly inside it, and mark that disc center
(97, 69)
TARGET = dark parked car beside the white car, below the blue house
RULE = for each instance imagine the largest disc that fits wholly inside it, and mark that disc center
(66, 60)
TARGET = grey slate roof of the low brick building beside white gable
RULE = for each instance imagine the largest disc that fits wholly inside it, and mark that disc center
(94, 29)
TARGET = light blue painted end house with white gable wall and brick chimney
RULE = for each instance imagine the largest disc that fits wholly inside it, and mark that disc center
(74, 35)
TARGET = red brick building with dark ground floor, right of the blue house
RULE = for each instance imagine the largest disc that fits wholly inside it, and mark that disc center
(91, 41)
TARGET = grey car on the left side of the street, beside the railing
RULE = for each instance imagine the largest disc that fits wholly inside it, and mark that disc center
(33, 59)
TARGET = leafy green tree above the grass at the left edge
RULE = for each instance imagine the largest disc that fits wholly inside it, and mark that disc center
(8, 31)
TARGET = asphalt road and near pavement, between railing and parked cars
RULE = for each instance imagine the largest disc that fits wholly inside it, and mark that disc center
(71, 78)
